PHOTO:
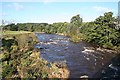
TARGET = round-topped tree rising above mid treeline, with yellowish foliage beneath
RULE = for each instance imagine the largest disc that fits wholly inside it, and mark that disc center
(74, 28)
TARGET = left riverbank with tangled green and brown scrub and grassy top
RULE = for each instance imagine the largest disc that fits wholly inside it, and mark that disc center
(21, 60)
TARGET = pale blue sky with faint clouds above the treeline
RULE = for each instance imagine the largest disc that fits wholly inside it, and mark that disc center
(50, 12)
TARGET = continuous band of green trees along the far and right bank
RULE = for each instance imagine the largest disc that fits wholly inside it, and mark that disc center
(103, 31)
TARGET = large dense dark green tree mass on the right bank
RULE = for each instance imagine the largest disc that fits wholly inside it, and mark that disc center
(102, 31)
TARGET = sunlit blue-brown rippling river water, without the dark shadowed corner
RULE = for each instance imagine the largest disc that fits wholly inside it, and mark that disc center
(81, 58)
